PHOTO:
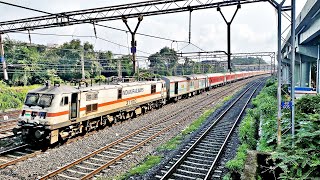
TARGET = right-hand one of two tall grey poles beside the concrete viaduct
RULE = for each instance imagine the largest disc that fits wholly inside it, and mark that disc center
(293, 41)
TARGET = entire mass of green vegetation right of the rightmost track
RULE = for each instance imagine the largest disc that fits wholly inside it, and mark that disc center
(299, 162)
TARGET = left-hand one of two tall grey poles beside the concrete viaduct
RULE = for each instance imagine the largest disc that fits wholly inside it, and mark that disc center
(279, 77)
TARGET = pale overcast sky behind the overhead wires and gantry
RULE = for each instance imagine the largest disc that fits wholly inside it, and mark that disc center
(253, 29)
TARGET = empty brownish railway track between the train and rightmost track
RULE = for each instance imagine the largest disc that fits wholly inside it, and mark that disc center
(95, 162)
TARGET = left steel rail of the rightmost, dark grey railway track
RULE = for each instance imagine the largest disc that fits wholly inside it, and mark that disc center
(187, 153)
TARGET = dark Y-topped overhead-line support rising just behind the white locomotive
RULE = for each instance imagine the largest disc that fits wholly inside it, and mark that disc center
(133, 42)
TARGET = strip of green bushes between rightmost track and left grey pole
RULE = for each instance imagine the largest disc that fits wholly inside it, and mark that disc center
(264, 110)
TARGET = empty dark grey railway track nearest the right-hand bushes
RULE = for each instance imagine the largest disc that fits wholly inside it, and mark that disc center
(199, 159)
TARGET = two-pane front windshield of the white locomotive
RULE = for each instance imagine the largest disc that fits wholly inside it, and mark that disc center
(42, 100)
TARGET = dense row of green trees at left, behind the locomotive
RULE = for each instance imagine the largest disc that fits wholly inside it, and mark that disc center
(34, 64)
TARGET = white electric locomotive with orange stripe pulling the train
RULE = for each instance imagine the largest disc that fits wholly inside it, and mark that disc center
(60, 112)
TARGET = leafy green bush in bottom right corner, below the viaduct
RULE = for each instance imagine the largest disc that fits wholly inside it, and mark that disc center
(303, 160)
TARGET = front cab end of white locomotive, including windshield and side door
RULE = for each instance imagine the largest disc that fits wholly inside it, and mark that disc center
(43, 109)
